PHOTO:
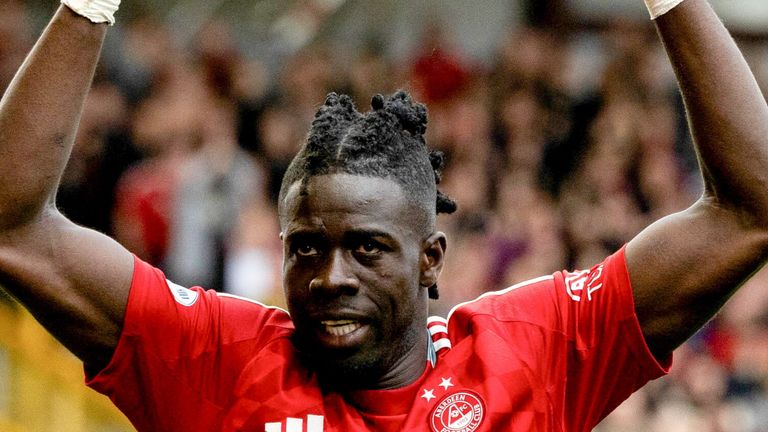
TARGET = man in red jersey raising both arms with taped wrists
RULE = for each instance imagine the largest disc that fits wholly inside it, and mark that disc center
(361, 256)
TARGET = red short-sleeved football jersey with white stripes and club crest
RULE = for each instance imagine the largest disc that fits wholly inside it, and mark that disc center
(556, 353)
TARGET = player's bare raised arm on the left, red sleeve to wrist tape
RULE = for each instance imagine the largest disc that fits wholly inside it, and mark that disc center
(74, 281)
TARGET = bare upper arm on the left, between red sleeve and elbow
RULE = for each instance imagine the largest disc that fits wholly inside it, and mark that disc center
(75, 281)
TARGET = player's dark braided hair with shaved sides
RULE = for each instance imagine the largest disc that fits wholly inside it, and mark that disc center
(386, 142)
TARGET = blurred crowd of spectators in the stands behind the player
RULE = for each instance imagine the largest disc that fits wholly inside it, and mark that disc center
(181, 149)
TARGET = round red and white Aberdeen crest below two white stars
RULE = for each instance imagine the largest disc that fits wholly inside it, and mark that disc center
(462, 411)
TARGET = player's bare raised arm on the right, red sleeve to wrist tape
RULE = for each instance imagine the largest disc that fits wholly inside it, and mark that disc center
(685, 266)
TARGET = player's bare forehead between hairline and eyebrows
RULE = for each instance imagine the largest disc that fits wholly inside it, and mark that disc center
(349, 202)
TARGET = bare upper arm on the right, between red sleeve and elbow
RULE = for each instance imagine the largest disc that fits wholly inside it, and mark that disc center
(685, 266)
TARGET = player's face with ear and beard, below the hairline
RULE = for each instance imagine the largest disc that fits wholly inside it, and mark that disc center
(357, 262)
